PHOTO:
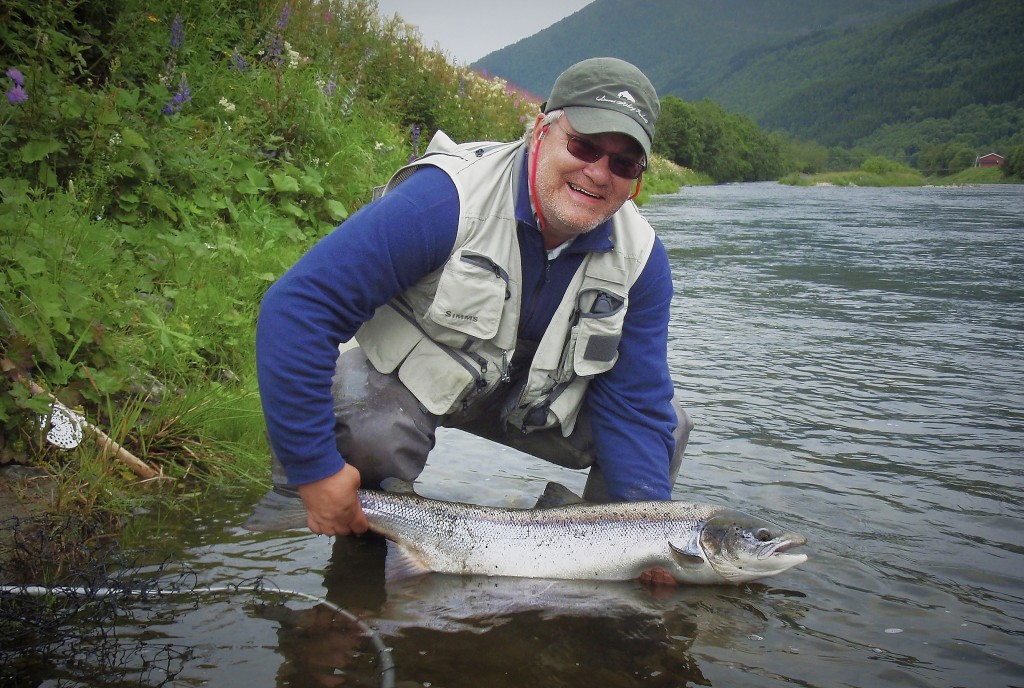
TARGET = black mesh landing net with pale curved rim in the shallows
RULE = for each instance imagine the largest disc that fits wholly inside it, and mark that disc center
(96, 627)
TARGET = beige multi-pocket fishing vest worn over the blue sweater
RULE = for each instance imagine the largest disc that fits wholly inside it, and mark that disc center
(452, 335)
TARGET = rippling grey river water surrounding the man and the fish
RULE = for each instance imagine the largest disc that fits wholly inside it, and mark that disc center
(854, 361)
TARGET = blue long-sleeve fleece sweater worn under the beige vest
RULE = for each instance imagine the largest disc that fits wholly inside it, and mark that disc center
(389, 246)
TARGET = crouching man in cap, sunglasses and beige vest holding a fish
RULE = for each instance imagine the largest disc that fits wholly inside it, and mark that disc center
(506, 289)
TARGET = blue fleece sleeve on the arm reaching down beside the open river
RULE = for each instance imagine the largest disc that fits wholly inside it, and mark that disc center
(631, 405)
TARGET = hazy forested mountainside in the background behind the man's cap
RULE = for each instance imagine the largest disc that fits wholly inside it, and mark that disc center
(887, 77)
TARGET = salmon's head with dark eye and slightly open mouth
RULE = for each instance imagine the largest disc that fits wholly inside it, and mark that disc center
(742, 547)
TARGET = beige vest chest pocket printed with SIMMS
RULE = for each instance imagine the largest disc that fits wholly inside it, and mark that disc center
(470, 300)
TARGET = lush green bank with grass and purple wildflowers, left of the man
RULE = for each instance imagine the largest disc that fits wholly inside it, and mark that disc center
(169, 162)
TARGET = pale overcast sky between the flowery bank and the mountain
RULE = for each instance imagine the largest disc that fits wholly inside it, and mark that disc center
(468, 30)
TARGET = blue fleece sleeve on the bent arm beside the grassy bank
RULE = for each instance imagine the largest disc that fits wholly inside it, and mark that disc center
(322, 300)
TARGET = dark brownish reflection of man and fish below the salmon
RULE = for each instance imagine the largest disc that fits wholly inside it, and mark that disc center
(475, 631)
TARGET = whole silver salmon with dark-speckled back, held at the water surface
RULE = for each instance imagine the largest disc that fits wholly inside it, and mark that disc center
(698, 544)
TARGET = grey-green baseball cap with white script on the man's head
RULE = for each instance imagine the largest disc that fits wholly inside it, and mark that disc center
(607, 95)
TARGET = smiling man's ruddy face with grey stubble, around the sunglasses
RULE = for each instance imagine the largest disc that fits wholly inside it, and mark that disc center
(576, 196)
